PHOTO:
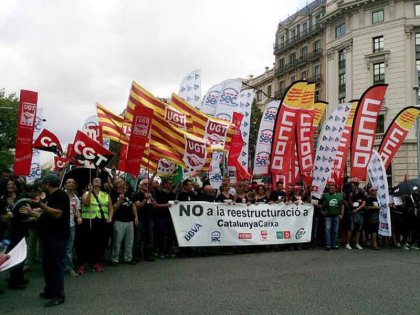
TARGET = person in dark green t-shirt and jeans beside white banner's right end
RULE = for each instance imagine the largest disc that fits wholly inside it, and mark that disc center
(332, 209)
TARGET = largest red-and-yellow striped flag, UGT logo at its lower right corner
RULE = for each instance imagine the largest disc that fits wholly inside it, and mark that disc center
(167, 140)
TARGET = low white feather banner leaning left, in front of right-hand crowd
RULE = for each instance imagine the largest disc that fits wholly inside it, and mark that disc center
(377, 176)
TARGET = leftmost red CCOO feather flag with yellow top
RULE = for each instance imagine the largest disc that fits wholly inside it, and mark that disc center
(284, 131)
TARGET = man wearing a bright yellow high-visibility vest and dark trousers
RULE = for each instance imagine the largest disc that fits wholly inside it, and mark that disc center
(97, 213)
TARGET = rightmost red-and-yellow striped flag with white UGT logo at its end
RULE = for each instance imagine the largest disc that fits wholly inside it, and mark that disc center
(218, 132)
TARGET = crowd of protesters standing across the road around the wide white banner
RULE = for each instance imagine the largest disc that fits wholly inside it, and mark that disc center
(110, 221)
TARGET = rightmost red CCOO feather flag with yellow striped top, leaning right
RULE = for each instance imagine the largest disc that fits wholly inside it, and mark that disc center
(397, 132)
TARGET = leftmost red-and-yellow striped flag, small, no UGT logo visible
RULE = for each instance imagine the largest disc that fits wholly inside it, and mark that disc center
(112, 124)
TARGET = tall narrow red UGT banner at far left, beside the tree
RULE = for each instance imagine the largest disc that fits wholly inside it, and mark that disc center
(25, 131)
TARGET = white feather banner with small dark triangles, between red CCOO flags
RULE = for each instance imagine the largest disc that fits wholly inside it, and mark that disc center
(326, 151)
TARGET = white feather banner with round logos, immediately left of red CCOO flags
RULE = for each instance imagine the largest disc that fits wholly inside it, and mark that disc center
(265, 136)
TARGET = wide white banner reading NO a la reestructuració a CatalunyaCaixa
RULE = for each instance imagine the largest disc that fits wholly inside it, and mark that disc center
(221, 224)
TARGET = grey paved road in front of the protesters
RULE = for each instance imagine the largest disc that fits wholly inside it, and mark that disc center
(288, 282)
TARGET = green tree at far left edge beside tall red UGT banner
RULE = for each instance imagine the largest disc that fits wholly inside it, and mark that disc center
(8, 126)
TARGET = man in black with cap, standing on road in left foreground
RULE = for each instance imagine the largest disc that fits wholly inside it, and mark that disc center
(54, 231)
